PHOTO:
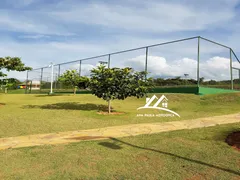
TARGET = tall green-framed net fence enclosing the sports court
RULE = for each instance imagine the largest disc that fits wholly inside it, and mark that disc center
(191, 62)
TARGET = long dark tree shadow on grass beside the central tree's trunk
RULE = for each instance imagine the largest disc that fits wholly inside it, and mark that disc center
(70, 106)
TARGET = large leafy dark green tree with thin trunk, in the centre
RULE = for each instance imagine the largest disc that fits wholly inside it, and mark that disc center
(116, 83)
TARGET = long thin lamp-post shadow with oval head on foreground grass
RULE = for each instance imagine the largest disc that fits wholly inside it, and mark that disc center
(117, 145)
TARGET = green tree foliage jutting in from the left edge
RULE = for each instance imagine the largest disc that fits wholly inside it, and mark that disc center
(12, 64)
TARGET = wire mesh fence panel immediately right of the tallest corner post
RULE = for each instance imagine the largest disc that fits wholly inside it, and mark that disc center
(214, 66)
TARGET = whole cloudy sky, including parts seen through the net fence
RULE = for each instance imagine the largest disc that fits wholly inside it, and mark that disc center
(45, 31)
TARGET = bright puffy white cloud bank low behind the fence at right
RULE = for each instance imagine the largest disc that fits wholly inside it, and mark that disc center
(216, 68)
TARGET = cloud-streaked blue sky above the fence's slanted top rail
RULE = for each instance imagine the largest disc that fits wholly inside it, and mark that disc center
(44, 31)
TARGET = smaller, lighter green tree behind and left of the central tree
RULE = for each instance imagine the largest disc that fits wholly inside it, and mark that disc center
(73, 79)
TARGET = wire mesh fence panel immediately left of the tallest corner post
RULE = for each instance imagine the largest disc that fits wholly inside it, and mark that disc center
(174, 64)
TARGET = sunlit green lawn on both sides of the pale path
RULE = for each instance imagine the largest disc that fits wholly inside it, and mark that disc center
(187, 154)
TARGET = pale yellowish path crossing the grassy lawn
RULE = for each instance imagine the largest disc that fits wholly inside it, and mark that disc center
(114, 132)
